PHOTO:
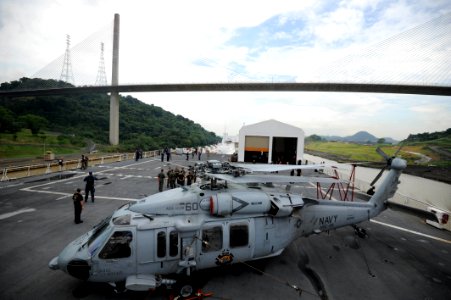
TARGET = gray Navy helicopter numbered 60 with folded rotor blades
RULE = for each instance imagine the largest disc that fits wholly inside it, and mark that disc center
(163, 238)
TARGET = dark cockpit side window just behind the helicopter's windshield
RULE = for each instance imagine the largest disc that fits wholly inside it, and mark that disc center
(118, 246)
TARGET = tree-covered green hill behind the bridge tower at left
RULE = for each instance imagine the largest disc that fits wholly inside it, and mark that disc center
(85, 116)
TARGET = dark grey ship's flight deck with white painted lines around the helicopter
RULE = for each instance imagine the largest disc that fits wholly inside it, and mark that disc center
(402, 258)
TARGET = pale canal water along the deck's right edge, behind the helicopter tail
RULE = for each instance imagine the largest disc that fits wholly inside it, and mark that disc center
(413, 191)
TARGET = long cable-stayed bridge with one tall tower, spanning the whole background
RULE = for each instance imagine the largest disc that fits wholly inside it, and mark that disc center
(416, 61)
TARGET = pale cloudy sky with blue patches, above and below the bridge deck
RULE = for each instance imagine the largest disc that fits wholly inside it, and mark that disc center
(181, 41)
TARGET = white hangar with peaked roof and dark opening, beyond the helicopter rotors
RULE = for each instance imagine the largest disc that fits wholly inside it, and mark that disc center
(271, 142)
